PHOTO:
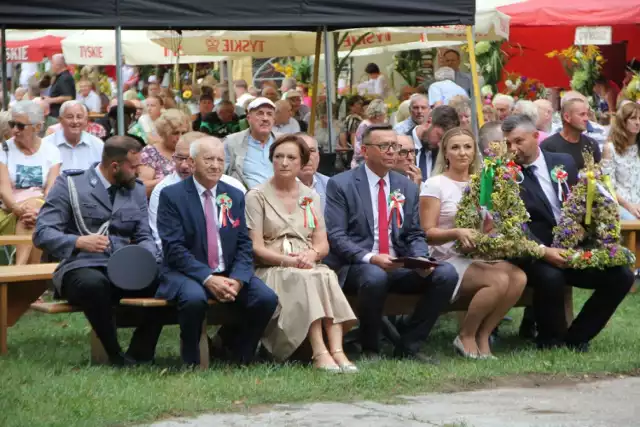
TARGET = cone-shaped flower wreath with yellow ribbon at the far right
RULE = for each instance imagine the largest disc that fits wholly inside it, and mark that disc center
(589, 228)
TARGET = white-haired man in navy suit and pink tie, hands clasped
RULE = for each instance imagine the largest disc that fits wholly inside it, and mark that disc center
(208, 254)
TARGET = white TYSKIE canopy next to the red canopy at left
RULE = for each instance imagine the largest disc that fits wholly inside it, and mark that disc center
(98, 47)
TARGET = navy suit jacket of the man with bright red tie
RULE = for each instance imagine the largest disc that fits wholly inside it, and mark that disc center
(349, 220)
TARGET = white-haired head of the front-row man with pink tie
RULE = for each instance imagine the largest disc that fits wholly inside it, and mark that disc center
(207, 158)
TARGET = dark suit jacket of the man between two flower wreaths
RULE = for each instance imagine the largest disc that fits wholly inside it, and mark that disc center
(539, 208)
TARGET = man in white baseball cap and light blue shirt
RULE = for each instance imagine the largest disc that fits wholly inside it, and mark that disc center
(247, 152)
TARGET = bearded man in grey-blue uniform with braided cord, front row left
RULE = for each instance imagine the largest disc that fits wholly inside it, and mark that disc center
(110, 200)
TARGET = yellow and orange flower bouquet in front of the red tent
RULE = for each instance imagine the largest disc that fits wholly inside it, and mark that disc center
(583, 64)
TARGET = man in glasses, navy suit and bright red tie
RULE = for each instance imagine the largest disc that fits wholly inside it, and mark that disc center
(365, 236)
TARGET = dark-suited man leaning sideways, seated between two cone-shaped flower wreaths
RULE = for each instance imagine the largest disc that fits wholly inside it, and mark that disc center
(550, 275)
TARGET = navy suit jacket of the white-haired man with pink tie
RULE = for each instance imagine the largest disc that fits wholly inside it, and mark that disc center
(182, 229)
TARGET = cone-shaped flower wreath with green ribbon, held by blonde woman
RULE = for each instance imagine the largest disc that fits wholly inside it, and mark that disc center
(492, 206)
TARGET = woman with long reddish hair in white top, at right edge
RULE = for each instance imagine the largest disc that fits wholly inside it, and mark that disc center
(621, 159)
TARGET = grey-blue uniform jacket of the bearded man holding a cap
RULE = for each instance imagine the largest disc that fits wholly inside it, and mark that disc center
(56, 230)
